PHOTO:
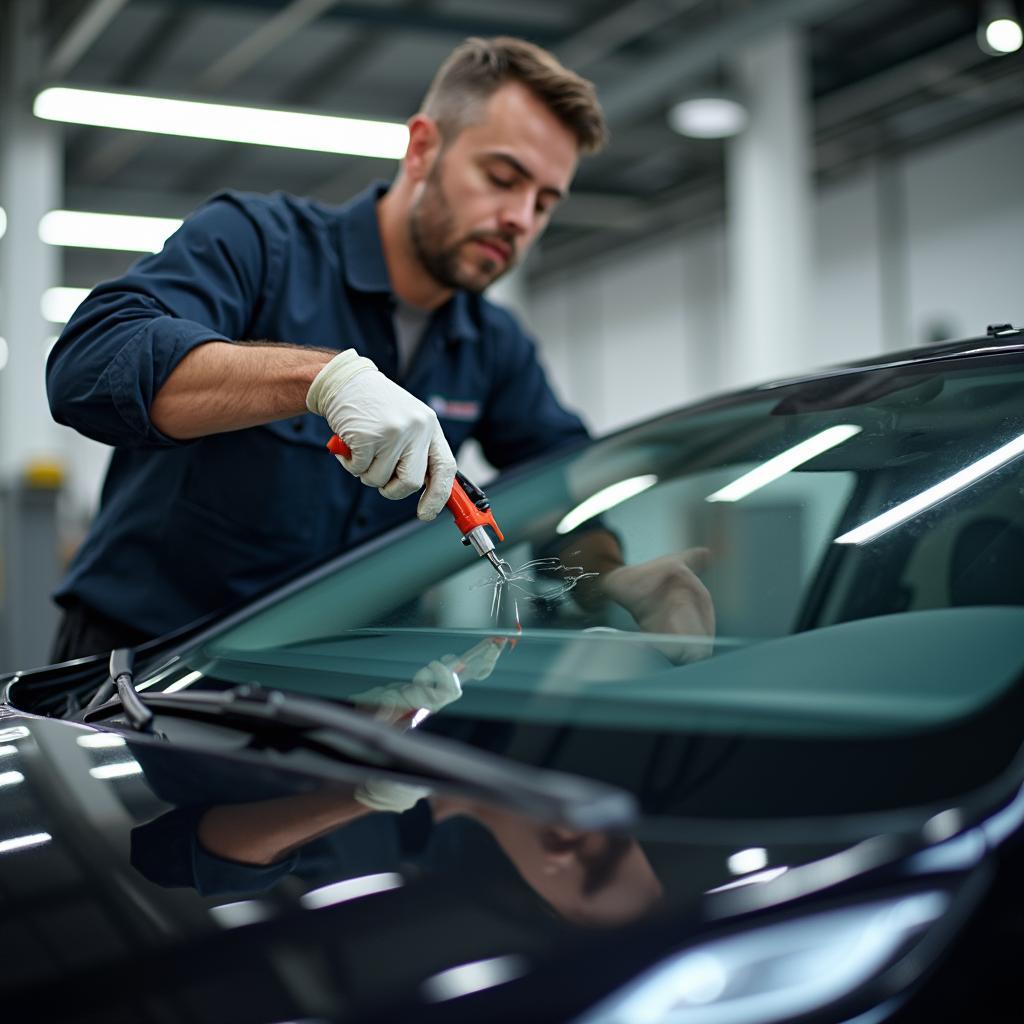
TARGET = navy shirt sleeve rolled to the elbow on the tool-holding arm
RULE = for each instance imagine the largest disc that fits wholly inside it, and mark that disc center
(130, 334)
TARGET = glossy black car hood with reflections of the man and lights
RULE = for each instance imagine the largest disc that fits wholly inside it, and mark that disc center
(110, 885)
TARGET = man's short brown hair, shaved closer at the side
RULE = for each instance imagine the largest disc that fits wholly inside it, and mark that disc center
(478, 68)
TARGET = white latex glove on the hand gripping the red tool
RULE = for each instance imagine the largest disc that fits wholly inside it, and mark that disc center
(396, 440)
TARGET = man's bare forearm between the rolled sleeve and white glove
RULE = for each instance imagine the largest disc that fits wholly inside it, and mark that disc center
(221, 387)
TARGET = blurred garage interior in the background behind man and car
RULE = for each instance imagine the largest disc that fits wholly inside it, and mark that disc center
(866, 201)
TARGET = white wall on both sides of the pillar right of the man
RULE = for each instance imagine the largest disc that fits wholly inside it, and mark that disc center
(647, 329)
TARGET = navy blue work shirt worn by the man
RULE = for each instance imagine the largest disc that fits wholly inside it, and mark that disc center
(188, 528)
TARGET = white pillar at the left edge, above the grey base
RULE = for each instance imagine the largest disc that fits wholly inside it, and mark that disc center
(31, 184)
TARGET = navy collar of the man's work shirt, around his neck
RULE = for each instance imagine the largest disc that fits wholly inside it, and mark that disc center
(366, 269)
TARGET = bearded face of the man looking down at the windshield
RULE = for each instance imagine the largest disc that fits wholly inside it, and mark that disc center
(492, 191)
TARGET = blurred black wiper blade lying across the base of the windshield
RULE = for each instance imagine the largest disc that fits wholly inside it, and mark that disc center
(553, 796)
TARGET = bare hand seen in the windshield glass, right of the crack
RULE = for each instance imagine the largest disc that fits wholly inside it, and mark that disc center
(666, 596)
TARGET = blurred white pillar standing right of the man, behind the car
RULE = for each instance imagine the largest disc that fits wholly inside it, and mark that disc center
(770, 215)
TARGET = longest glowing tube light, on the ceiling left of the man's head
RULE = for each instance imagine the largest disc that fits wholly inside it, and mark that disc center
(194, 119)
